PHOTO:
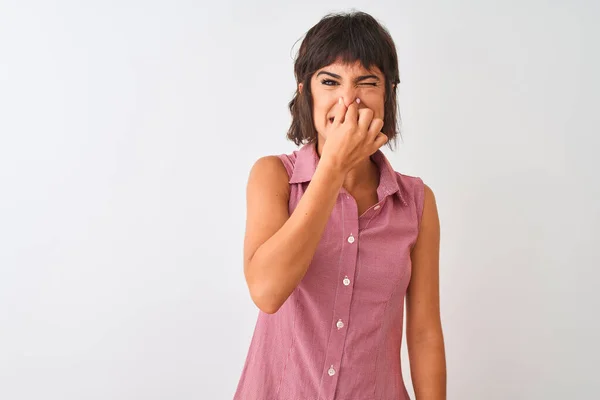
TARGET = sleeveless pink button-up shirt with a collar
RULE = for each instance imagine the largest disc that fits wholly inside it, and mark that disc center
(338, 335)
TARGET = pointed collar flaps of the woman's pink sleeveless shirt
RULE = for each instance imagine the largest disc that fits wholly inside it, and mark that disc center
(307, 159)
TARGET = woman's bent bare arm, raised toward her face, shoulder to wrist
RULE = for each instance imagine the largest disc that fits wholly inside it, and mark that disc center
(278, 248)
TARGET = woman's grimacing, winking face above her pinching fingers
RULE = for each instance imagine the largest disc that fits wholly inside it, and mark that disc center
(349, 82)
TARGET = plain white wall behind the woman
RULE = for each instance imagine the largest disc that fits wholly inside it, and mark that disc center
(127, 131)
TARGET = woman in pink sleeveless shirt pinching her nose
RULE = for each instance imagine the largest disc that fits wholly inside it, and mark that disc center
(336, 239)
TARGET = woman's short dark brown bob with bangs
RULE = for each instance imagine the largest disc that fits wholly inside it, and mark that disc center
(346, 37)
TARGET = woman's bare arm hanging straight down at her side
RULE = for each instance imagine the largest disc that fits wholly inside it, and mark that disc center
(423, 325)
